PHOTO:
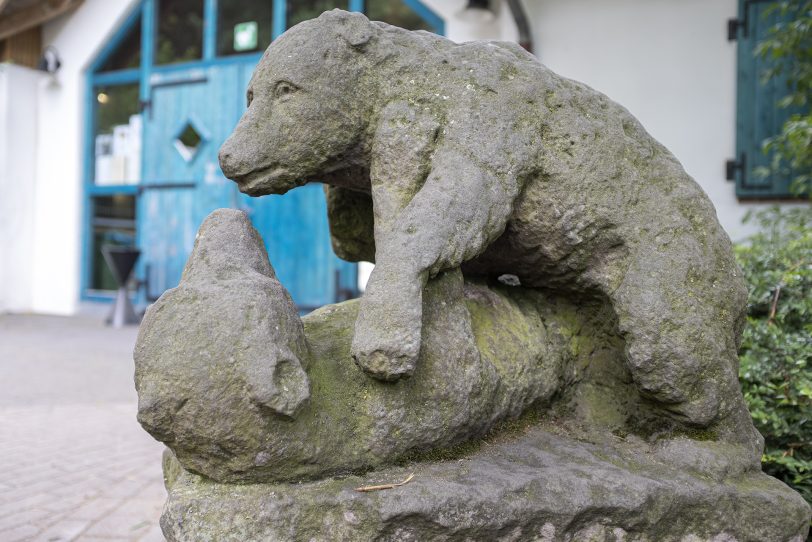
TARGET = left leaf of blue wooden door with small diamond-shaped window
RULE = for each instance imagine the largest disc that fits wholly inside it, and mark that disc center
(190, 113)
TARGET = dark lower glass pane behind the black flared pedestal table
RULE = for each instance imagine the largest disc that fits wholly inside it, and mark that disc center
(112, 223)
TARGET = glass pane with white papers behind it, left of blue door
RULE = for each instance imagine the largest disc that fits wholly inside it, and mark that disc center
(117, 135)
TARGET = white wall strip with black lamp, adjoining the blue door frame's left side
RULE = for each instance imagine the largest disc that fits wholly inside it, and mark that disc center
(78, 37)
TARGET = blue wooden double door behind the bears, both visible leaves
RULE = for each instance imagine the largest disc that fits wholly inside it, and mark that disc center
(191, 113)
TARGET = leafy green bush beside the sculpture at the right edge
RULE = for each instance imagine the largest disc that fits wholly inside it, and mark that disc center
(776, 351)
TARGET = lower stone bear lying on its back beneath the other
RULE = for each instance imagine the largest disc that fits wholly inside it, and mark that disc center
(221, 361)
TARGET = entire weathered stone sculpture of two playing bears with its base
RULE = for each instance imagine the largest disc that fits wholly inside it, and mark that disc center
(547, 343)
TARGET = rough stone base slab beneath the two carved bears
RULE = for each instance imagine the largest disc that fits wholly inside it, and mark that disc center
(542, 485)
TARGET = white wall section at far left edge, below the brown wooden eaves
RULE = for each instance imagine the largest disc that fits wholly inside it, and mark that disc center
(18, 138)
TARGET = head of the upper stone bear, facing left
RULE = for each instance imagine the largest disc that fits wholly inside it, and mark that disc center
(308, 106)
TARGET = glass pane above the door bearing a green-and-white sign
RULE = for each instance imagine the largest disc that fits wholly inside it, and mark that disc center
(235, 33)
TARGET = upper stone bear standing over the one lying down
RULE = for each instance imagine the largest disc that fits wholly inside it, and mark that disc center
(439, 155)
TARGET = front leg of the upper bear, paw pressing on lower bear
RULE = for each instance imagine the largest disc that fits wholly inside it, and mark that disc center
(455, 215)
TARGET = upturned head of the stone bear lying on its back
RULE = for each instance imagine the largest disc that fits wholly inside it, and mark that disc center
(230, 321)
